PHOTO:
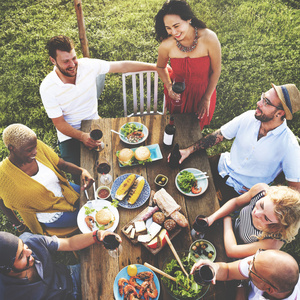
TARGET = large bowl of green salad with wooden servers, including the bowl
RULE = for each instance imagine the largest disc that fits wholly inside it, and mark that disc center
(183, 288)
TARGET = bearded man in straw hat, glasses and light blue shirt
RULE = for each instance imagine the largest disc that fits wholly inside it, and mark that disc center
(264, 146)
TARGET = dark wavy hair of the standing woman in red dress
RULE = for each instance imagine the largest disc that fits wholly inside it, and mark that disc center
(174, 7)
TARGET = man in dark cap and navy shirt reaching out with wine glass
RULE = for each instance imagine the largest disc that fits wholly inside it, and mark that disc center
(28, 271)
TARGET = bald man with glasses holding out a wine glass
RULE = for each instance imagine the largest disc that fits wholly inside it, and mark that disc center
(270, 274)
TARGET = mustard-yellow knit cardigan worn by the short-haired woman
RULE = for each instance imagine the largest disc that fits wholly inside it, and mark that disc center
(22, 193)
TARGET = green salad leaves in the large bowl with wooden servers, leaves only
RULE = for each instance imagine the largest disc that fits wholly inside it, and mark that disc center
(188, 289)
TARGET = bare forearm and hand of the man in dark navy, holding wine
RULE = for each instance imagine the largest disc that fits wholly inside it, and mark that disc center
(81, 241)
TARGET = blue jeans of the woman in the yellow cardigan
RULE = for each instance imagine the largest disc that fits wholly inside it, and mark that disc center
(68, 218)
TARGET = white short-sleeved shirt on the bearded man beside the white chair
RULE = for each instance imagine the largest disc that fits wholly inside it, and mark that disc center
(75, 102)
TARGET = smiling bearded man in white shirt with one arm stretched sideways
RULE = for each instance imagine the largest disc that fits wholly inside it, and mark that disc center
(69, 93)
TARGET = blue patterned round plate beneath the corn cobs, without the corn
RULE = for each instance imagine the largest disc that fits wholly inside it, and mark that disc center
(144, 196)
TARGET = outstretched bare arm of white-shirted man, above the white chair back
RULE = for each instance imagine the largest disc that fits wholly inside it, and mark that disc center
(130, 66)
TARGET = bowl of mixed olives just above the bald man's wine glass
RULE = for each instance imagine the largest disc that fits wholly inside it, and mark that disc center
(203, 249)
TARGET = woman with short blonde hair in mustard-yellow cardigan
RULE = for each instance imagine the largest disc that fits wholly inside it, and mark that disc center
(32, 182)
